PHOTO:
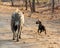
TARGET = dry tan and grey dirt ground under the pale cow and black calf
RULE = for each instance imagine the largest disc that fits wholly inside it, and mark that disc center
(30, 37)
